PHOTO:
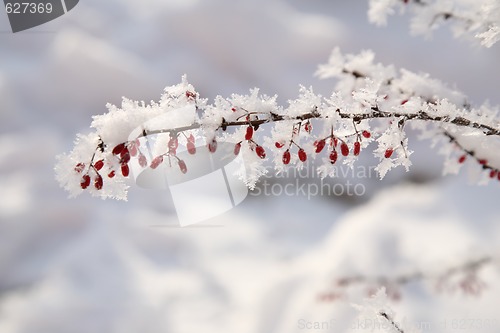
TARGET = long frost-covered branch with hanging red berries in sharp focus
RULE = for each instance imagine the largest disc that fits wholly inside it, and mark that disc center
(372, 105)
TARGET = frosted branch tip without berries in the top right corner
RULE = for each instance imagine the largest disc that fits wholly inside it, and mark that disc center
(481, 18)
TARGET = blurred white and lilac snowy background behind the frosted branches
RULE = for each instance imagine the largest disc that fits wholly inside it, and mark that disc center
(86, 265)
